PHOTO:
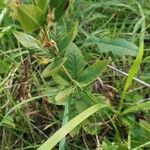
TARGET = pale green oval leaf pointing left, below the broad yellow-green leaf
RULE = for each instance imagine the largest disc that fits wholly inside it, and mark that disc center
(27, 40)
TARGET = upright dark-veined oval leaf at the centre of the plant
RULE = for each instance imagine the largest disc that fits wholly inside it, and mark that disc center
(75, 61)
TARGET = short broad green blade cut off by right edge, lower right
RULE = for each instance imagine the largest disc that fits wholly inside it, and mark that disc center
(137, 107)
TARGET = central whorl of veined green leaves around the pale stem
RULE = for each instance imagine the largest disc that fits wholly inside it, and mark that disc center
(69, 72)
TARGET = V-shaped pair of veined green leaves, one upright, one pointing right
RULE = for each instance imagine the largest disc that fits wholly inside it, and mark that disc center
(76, 66)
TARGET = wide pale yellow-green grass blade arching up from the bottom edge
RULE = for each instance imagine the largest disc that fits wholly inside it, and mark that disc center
(63, 131)
